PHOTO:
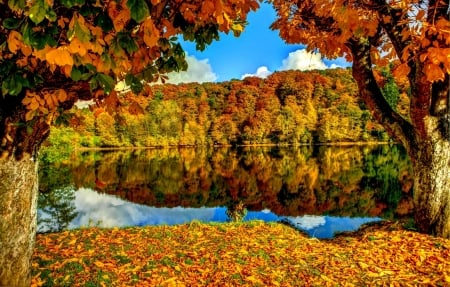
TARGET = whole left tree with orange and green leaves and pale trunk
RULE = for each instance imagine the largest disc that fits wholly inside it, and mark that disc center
(54, 53)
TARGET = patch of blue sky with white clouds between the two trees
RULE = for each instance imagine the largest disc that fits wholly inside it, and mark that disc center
(257, 49)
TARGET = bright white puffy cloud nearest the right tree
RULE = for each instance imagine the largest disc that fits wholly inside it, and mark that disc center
(303, 60)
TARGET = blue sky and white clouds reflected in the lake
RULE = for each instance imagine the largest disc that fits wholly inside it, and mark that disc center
(104, 210)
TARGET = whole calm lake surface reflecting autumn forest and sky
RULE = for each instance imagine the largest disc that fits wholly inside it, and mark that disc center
(320, 190)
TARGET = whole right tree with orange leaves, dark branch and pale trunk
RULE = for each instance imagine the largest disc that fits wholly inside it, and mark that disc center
(412, 36)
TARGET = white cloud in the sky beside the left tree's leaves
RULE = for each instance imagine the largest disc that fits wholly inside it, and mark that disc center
(198, 71)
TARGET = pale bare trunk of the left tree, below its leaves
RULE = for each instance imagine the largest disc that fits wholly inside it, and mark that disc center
(18, 211)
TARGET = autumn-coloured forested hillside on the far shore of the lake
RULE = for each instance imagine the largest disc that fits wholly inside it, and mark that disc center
(289, 107)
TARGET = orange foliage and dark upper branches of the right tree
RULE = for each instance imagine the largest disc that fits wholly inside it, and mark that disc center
(411, 36)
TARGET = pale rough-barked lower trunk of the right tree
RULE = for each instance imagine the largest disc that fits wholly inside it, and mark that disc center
(431, 165)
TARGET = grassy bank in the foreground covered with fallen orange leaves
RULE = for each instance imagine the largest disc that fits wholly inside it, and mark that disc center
(239, 254)
